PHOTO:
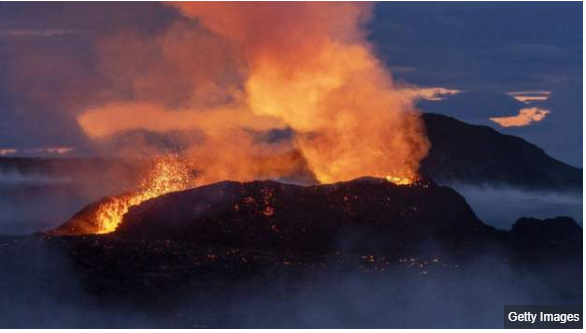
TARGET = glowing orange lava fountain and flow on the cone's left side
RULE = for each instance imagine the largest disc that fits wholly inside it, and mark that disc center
(167, 174)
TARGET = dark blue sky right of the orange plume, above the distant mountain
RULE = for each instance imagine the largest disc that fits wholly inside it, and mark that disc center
(486, 50)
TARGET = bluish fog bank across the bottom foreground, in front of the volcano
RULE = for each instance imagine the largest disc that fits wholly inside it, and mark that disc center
(48, 290)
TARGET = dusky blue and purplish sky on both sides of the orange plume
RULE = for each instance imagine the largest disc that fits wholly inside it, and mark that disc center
(514, 66)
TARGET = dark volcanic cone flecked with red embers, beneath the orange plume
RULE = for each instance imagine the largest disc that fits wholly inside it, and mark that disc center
(366, 215)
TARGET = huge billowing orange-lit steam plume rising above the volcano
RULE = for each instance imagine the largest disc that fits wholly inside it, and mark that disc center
(229, 71)
